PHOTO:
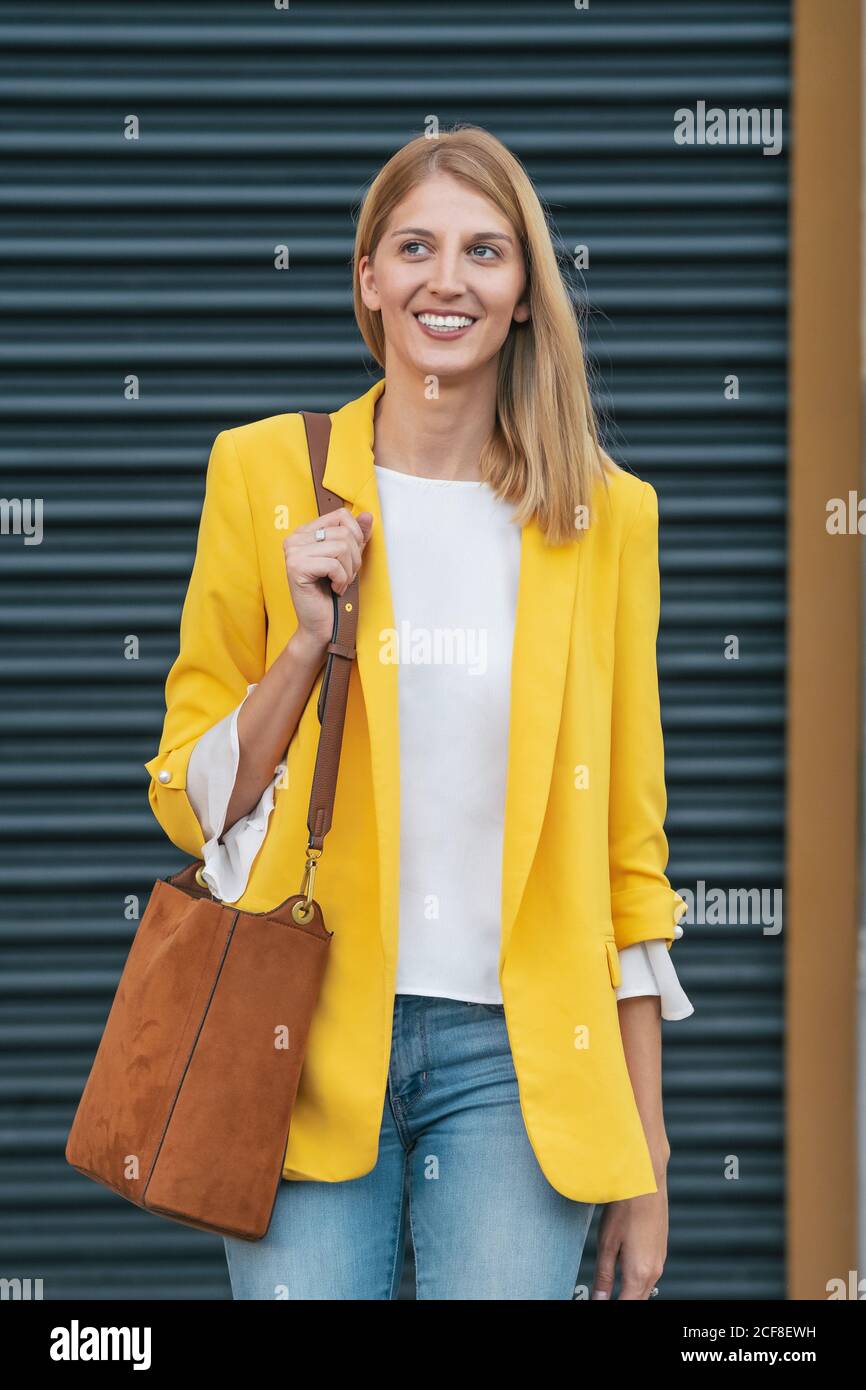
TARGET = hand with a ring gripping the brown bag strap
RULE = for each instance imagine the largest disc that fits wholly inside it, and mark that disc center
(318, 569)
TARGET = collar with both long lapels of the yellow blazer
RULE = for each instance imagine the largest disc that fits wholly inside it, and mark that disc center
(543, 632)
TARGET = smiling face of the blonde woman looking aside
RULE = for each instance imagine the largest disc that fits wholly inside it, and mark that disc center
(448, 279)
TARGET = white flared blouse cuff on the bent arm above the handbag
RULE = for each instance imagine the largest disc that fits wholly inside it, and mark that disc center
(211, 779)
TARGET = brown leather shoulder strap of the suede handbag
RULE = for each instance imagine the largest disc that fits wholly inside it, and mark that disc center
(341, 653)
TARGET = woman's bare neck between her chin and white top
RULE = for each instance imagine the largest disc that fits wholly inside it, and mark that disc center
(440, 439)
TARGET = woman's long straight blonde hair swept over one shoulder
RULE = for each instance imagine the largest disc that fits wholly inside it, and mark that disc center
(544, 454)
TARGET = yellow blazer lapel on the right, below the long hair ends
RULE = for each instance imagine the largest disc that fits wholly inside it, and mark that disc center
(543, 633)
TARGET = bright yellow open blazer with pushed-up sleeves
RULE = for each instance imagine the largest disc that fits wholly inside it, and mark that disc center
(585, 849)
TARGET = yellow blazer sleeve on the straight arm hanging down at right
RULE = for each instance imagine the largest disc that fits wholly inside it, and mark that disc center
(644, 906)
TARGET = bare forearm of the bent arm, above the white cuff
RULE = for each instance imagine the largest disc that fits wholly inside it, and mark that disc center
(269, 719)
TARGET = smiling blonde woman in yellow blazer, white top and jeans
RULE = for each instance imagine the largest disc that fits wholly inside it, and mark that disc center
(501, 794)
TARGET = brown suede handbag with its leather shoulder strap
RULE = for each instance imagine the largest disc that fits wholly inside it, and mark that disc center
(190, 1100)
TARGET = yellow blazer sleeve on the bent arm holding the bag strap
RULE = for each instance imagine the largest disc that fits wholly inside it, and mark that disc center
(222, 641)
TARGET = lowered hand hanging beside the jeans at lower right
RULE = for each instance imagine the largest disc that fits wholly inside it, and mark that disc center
(636, 1234)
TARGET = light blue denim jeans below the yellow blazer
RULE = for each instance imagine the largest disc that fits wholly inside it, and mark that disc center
(484, 1220)
